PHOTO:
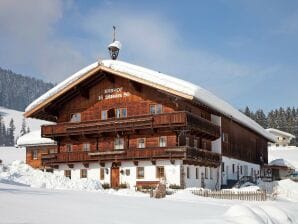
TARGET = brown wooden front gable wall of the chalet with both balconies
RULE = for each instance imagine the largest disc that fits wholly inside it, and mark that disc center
(187, 128)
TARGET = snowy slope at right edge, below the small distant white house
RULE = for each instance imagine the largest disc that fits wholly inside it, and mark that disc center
(289, 154)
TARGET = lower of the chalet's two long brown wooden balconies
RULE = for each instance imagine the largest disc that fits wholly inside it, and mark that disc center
(193, 155)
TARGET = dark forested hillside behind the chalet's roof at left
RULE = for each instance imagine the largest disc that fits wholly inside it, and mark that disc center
(17, 91)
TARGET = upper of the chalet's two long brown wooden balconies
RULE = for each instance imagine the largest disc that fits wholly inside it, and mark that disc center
(180, 119)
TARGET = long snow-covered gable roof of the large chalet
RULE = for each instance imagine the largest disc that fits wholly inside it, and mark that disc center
(161, 81)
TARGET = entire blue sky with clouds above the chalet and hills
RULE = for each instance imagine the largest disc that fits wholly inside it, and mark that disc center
(246, 52)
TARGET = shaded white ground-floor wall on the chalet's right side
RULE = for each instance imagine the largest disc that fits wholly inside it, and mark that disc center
(246, 169)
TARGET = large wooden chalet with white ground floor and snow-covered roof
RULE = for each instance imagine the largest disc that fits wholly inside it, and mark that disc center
(127, 125)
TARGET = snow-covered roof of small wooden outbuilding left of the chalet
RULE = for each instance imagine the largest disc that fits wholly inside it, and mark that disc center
(34, 138)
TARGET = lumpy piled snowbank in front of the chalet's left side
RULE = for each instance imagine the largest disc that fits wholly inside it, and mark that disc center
(19, 172)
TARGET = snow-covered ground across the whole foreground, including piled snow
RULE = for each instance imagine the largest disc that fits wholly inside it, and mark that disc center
(44, 203)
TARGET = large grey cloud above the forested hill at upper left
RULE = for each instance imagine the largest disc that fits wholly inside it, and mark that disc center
(29, 39)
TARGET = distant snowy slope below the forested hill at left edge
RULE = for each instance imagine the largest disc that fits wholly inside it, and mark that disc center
(33, 124)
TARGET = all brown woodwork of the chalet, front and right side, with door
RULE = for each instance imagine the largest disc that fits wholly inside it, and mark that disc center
(111, 119)
